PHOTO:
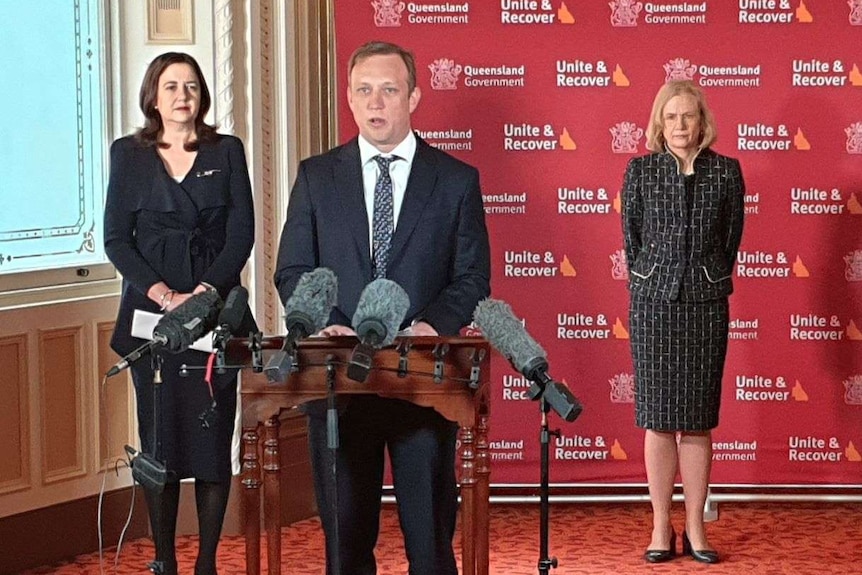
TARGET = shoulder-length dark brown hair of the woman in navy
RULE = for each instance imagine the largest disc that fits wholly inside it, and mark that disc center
(152, 128)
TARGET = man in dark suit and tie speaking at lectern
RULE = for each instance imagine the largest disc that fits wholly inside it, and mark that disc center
(438, 252)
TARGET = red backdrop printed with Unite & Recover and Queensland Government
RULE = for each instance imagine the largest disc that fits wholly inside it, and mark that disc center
(550, 99)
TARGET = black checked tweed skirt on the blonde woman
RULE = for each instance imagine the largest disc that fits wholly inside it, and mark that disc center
(678, 350)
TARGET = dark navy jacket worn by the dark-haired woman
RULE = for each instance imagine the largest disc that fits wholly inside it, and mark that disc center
(198, 230)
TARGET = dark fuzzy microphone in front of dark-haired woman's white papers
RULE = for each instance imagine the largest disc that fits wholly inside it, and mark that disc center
(177, 329)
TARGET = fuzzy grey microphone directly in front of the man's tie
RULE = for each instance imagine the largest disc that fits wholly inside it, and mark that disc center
(380, 311)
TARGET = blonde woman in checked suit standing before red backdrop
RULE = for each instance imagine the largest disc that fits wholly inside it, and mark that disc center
(682, 223)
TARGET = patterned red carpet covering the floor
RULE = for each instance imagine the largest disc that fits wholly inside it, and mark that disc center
(587, 539)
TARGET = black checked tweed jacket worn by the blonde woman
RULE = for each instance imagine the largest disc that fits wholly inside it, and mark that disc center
(679, 246)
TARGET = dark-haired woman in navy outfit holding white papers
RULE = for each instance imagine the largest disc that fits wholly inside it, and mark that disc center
(179, 220)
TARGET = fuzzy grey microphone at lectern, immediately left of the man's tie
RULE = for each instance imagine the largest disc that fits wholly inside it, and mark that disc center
(306, 312)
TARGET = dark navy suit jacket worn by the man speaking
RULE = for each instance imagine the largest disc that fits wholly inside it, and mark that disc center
(439, 254)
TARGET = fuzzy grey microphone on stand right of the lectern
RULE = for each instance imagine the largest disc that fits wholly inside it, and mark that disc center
(507, 335)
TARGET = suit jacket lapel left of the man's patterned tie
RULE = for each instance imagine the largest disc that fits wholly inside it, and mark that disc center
(350, 193)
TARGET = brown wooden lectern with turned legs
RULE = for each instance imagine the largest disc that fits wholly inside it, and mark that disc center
(449, 374)
